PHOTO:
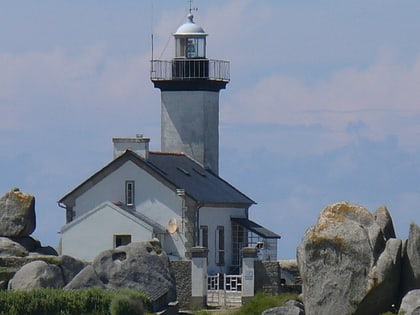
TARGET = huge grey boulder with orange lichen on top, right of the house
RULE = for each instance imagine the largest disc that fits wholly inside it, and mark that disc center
(346, 264)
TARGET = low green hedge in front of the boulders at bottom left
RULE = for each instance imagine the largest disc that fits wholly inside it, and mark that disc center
(63, 302)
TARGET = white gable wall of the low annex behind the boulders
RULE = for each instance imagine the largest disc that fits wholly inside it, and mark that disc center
(94, 232)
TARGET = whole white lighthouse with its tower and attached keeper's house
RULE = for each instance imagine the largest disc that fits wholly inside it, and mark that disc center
(175, 195)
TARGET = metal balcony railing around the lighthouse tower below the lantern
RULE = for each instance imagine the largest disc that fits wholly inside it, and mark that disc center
(188, 69)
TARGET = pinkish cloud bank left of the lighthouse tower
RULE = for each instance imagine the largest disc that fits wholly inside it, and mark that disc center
(53, 88)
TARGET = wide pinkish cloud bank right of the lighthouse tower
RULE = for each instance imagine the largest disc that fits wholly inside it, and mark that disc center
(380, 101)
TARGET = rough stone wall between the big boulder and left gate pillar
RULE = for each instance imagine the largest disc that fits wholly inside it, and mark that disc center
(182, 272)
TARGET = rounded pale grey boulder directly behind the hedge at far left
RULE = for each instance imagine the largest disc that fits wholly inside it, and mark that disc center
(37, 274)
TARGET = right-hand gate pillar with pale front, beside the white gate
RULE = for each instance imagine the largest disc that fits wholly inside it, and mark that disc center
(249, 255)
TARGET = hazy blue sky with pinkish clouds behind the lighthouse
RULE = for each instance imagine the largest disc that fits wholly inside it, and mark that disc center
(323, 104)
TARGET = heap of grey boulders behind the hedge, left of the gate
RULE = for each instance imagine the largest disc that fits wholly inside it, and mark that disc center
(27, 265)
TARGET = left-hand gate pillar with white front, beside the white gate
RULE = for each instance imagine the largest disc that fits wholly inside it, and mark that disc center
(199, 276)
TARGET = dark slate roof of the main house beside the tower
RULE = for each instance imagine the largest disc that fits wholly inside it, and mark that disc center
(177, 170)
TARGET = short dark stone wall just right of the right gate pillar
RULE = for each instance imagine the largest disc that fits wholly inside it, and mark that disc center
(267, 277)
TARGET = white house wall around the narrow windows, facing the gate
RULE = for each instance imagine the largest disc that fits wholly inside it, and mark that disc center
(213, 217)
